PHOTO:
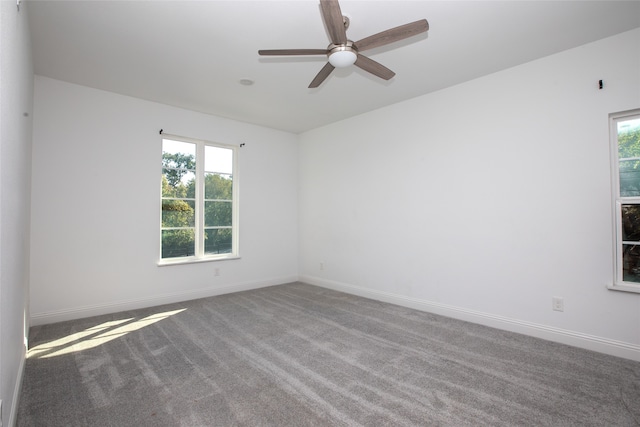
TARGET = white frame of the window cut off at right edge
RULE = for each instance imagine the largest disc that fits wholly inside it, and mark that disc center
(618, 283)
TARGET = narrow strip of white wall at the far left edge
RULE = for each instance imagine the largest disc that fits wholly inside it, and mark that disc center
(16, 106)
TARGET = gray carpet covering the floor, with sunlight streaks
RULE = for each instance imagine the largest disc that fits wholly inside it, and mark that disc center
(299, 355)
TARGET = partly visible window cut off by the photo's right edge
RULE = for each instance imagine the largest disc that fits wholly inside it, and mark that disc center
(625, 154)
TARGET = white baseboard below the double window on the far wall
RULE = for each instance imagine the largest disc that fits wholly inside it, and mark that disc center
(169, 298)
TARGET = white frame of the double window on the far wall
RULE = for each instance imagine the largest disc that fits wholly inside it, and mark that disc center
(200, 255)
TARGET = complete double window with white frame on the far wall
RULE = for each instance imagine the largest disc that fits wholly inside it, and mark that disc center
(199, 201)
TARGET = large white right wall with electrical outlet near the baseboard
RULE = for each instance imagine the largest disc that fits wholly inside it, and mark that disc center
(482, 201)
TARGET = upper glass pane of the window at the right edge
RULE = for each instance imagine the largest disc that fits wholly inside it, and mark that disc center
(629, 157)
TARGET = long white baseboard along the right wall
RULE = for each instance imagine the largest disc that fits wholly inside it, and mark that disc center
(563, 336)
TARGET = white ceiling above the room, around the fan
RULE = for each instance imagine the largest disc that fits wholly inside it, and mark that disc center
(192, 54)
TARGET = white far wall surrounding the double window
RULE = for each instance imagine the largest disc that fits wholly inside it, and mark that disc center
(95, 204)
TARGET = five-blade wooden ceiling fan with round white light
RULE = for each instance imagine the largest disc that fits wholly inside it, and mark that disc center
(343, 52)
